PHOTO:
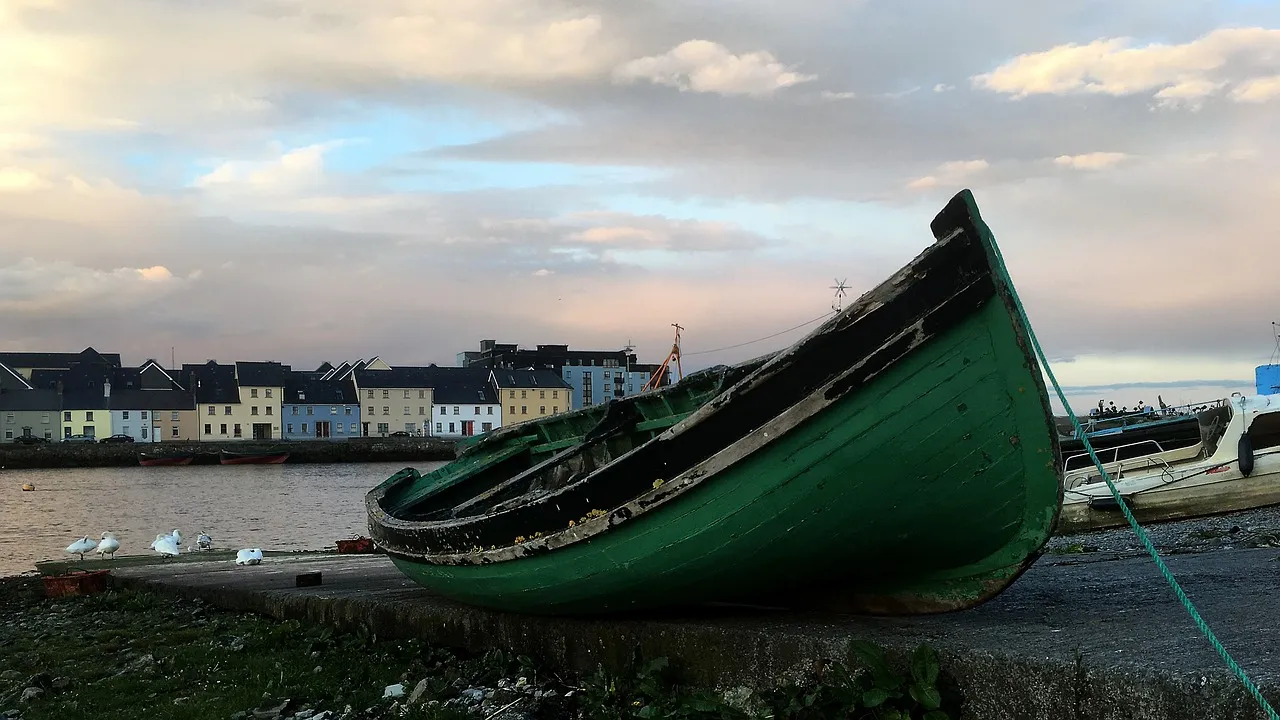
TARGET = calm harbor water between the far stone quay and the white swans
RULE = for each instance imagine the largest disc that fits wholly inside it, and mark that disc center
(269, 507)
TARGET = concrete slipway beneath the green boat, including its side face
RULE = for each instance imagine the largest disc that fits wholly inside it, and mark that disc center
(1084, 637)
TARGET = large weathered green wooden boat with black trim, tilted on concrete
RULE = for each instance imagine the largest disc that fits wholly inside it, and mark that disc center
(900, 459)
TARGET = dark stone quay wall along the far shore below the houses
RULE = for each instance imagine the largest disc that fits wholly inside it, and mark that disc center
(122, 455)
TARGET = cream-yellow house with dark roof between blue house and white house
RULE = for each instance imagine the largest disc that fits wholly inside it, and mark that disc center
(392, 399)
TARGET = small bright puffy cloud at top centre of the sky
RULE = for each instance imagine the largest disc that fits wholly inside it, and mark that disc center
(701, 66)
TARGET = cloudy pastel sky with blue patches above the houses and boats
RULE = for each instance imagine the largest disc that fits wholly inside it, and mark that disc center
(326, 180)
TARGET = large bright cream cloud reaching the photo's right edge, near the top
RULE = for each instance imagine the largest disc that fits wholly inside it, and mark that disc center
(1183, 74)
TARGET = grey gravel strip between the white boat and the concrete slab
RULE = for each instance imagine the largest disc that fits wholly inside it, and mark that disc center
(1251, 528)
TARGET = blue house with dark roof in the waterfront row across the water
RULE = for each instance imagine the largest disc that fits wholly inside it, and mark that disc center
(319, 409)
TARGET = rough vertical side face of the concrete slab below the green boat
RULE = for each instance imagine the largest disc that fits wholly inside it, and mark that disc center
(994, 687)
